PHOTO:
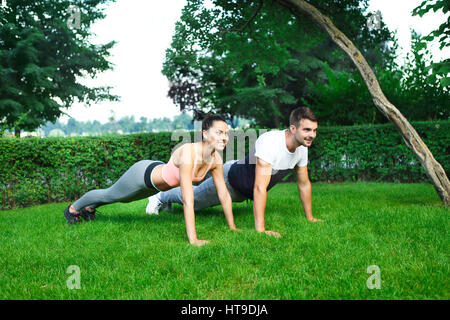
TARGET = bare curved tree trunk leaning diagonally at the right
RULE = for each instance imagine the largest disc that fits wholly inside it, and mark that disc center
(433, 169)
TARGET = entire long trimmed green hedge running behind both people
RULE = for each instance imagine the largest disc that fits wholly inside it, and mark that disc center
(35, 170)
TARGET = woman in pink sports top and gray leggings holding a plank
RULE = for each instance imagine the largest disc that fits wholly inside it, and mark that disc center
(188, 164)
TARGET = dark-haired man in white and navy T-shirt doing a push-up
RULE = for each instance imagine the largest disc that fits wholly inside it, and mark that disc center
(273, 156)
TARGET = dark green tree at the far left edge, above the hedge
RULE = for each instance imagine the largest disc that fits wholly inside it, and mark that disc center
(42, 59)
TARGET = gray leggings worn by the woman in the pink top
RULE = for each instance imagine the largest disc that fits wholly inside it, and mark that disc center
(131, 186)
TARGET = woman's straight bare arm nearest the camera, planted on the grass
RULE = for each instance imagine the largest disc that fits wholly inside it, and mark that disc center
(187, 193)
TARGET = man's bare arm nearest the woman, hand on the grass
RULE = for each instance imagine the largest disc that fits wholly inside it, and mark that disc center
(263, 172)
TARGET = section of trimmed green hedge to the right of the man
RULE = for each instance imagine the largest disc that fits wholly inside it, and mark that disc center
(375, 153)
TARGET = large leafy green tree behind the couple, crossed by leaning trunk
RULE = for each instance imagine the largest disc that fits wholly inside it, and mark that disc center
(253, 59)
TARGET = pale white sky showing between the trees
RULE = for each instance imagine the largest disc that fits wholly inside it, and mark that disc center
(144, 29)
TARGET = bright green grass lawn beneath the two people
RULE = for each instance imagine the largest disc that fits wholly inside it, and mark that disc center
(126, 254)
